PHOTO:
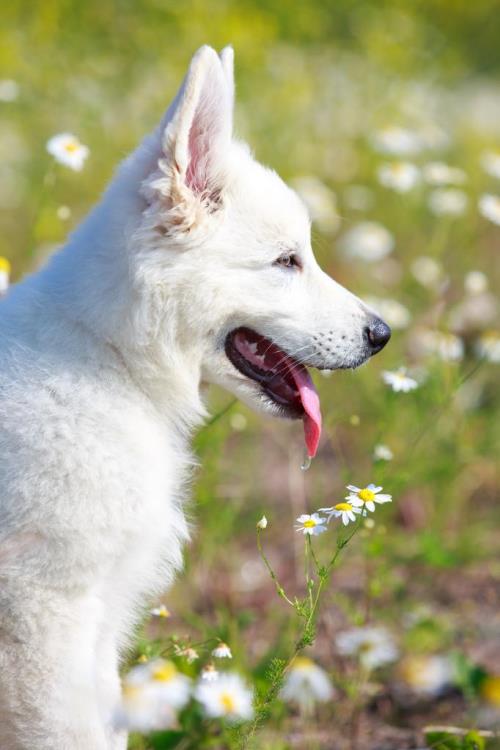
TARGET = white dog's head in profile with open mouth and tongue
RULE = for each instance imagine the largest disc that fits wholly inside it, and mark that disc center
(228, 244)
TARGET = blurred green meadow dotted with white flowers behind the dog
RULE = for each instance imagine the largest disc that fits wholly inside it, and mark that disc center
(385, 116)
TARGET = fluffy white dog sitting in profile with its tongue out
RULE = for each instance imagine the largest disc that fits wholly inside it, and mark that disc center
(195, 267)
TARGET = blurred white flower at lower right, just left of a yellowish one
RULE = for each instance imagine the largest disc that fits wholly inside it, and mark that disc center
(374, 646)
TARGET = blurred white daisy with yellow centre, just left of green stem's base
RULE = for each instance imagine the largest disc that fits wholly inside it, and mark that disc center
(227, 697)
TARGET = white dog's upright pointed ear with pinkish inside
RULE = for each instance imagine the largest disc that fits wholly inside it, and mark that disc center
(197, 129)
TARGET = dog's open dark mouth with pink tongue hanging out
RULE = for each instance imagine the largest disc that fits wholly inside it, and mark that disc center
(281, 378)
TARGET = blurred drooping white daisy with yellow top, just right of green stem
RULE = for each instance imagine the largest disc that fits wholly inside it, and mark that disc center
(306, 683)
